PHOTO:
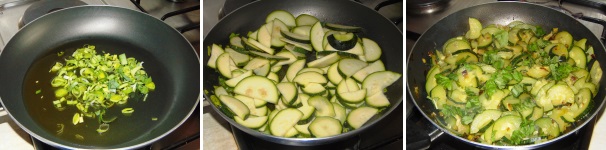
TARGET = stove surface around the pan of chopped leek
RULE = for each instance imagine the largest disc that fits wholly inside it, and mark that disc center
(187, 136)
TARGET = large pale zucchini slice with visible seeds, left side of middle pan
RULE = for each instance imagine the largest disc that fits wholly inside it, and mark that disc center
(258, 87)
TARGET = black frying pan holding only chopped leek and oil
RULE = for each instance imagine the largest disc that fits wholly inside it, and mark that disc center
(169, 59)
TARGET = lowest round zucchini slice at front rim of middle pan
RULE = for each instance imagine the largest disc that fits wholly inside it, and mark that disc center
(325, 127)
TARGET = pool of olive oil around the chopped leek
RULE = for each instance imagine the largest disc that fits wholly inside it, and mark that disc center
(56, 122)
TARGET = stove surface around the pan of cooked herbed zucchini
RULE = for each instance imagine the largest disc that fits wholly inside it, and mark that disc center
(417, 23)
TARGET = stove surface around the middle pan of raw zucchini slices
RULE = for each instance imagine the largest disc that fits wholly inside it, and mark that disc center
(219, 135)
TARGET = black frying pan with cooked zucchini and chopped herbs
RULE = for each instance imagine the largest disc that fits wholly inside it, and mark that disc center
(495, 13)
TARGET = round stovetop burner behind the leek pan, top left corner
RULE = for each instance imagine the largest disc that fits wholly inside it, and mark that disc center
(41, 8)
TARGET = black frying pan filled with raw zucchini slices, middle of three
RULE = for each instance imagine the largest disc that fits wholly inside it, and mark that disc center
(252, 16)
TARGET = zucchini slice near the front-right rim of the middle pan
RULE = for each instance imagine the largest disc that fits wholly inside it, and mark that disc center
(359, 116)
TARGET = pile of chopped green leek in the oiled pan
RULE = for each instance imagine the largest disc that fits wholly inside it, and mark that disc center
(93, 82)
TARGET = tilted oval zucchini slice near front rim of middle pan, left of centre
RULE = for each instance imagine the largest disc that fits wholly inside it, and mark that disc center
(284, 120)
